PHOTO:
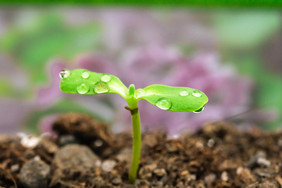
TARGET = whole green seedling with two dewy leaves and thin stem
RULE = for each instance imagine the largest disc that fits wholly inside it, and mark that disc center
(179, 99)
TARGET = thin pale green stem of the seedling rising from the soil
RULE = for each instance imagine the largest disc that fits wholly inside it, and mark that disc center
(136, 147)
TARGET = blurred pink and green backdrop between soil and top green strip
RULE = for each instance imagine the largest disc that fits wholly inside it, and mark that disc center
(233, 55)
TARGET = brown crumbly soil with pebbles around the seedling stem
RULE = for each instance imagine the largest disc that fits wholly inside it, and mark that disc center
(86, 154)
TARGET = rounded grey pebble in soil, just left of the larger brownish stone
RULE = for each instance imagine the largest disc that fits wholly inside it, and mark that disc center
(34, 173)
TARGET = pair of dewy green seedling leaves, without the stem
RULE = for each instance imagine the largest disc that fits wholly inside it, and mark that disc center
(180, 99)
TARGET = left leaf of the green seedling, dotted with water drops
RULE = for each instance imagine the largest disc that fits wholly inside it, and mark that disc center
(81, 81)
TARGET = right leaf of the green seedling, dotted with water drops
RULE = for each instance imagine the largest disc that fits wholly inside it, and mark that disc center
(179, 99)
